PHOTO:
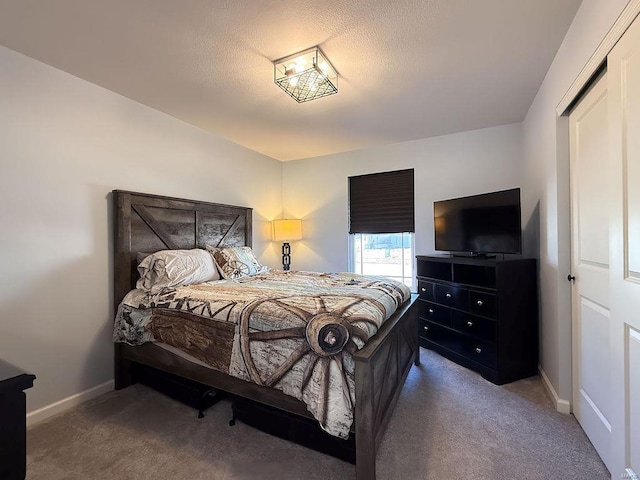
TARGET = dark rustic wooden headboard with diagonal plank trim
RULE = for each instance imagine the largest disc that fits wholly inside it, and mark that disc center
(149, 223)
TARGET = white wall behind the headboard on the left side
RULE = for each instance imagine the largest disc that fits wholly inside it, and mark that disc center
(64, 145)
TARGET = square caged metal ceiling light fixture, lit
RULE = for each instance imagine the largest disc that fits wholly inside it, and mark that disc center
(306, 75)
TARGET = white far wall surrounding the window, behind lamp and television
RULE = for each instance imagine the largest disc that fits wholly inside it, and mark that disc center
(316, 190)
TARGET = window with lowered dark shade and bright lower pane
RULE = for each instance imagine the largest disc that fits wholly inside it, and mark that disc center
(382, 223)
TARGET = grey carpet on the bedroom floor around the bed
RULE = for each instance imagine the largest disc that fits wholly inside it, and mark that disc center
(449, 424)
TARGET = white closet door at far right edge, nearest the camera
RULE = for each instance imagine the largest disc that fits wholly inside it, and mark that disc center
(623, 64)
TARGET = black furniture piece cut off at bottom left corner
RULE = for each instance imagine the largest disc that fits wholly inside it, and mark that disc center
(13, 421)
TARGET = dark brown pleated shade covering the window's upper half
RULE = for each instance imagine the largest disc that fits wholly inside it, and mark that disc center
(382, 202)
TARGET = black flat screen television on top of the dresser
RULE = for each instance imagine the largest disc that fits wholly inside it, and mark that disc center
(479, 224)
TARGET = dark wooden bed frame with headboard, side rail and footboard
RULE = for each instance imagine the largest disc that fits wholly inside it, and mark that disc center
(148, 223)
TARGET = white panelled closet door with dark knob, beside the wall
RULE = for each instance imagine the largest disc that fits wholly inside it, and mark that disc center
(591, 319)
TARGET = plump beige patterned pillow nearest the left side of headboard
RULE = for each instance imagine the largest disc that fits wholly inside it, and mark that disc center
(173, 268)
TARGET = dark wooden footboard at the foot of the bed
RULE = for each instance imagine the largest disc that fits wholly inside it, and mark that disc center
(382, 367)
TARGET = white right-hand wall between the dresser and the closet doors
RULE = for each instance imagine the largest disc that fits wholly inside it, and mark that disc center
(546, 157)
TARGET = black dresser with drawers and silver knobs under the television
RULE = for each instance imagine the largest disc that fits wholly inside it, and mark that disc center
(481, 313)
